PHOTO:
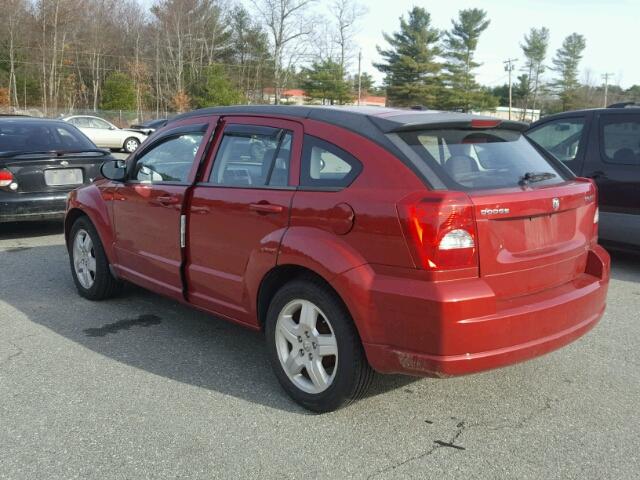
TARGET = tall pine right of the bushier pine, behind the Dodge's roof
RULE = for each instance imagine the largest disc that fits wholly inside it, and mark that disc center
(460, 44)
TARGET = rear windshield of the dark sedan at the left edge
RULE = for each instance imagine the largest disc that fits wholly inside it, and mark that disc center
(35, 136)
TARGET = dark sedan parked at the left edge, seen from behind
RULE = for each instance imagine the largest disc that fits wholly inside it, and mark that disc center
(41, 161)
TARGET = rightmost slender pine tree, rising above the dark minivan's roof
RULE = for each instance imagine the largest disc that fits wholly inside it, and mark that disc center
(566, 63)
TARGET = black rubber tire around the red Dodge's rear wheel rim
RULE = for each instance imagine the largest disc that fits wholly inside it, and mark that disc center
(353, 375)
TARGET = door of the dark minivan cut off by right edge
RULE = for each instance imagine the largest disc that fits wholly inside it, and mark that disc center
(613, 161)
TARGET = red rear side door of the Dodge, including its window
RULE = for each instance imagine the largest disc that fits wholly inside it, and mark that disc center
(239, 213)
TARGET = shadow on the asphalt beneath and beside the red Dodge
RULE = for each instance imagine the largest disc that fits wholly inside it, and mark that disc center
(149, 332)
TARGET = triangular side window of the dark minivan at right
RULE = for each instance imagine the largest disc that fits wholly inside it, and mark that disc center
(561, 138)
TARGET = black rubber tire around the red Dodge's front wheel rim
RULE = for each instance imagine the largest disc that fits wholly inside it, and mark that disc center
(105, 285)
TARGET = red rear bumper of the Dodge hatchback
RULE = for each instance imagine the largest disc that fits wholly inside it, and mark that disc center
(459, 327)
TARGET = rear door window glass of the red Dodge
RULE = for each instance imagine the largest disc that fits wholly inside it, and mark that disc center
(255, 157)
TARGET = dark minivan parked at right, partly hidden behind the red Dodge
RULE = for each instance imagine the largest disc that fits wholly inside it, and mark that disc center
(603, 144)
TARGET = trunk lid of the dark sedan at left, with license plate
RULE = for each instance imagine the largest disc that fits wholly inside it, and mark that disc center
(51, 172)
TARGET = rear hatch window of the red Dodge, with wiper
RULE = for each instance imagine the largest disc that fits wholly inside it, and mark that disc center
(480, 159)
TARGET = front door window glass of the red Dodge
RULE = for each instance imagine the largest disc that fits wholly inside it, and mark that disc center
(169, 161)
